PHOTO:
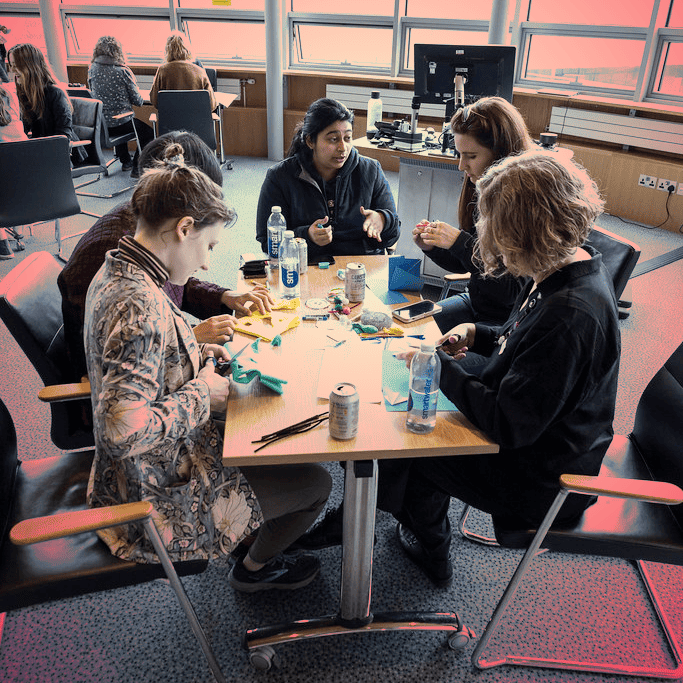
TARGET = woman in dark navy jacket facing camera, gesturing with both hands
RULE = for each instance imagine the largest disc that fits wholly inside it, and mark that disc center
(336, 199)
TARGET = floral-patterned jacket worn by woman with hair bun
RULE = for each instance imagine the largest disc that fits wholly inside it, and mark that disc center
(154, 436)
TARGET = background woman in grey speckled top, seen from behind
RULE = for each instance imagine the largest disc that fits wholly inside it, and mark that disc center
(111, 81)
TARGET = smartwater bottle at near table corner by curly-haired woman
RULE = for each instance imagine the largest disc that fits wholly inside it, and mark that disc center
(425, 373)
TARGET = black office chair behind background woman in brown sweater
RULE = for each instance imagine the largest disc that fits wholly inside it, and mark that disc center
(188, 110)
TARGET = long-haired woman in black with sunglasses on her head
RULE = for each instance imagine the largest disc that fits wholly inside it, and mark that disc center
(484, 132)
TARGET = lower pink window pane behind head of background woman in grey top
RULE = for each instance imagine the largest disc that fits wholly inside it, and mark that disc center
(138, 36)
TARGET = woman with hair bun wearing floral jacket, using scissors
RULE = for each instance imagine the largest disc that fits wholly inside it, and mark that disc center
(153, 393)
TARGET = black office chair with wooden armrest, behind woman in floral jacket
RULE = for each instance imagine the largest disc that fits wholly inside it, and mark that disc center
(31, 308)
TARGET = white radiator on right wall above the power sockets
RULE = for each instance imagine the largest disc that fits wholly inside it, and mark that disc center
(663, 136)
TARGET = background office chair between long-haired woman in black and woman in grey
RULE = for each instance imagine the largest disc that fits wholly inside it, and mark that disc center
(79, 97)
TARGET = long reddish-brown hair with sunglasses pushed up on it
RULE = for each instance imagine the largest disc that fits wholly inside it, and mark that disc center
(497, 125)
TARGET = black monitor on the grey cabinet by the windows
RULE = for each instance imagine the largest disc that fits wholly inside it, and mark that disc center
(488, 70)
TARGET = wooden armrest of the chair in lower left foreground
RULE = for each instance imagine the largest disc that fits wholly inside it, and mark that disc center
(69, 523)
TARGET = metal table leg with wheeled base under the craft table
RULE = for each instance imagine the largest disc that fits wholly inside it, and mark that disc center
(360, 497)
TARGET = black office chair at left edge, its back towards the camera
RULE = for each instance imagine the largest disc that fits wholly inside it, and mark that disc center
(36, 184)
